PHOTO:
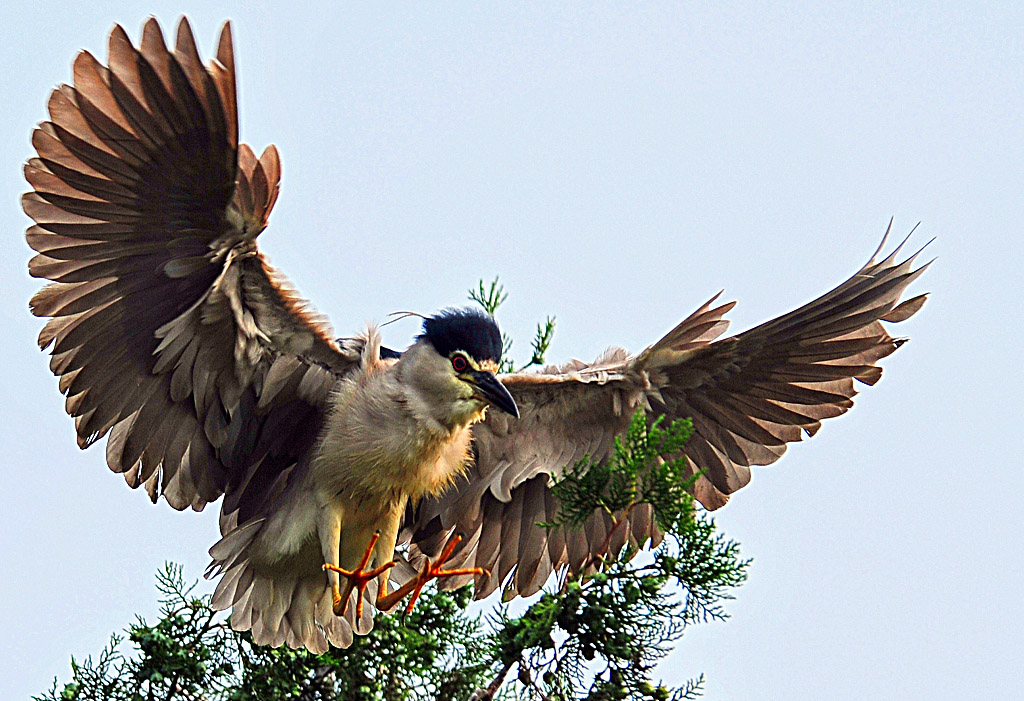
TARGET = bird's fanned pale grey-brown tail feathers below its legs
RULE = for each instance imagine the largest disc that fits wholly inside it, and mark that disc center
(287, 603)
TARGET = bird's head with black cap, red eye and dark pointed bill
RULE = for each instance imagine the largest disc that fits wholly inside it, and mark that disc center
(455, 362)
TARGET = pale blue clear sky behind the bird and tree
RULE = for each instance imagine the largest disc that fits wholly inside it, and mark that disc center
(617, 165)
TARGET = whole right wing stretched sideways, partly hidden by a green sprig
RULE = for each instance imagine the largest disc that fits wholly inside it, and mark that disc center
(748, 396)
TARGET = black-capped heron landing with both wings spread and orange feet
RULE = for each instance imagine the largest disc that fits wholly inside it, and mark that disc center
(346, 468)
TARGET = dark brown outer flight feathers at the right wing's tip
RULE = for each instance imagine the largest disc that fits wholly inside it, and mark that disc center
(752, 395)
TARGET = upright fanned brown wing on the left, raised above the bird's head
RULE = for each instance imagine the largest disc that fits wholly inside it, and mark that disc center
(169, 332)
